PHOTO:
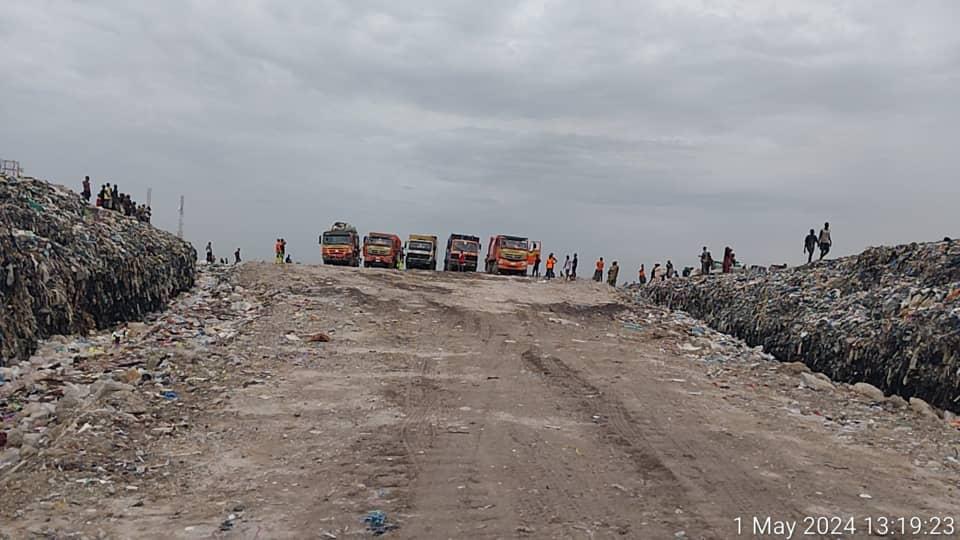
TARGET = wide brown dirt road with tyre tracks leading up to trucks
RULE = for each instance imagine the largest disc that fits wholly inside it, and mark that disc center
(476, 407)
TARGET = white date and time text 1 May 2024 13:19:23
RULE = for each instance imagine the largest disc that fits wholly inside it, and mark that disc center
(769, 527)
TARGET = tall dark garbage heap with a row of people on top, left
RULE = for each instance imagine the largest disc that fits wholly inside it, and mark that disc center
(69, 267)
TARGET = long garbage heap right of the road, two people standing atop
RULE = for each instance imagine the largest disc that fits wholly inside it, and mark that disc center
(889, 316)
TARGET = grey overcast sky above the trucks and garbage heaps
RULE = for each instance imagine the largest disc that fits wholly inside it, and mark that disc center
(639, 131)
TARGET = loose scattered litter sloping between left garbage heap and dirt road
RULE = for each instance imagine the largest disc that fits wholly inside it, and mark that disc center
(95, 411)
